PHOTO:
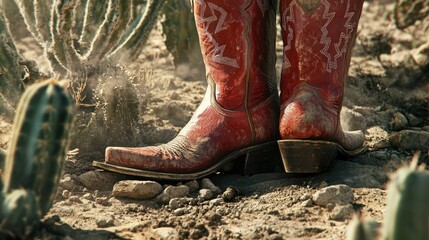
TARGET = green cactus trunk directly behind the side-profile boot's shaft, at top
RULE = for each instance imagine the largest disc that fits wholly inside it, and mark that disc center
(179, 29)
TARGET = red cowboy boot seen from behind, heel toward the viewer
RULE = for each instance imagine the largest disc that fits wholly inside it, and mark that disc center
(318, 37)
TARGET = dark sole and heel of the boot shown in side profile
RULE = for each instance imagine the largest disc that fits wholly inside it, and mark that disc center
(261, 158)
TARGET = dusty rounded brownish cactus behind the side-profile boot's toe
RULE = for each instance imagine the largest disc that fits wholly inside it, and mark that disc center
(114, 117)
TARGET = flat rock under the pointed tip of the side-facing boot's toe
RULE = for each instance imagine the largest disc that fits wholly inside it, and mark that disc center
(100, 180)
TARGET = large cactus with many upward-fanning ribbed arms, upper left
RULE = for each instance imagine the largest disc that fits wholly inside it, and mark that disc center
(83, 33)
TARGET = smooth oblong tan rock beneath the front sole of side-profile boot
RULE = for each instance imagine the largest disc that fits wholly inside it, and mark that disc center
(137, 189)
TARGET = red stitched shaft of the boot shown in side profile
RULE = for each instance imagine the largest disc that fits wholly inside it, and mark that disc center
(238, 45)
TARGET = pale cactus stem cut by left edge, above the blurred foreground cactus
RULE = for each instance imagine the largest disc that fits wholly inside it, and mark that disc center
(11, 71)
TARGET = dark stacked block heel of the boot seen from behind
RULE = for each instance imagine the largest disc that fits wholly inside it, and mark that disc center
(307, 156)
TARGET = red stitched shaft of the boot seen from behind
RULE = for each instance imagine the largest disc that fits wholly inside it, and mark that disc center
(318, 37)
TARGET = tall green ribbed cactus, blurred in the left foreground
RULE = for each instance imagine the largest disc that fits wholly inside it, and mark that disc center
(35, 157)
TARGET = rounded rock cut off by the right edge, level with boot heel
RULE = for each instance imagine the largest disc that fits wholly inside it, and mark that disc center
(410, 140)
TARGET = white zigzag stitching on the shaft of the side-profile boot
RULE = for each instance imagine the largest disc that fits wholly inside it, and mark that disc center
(217, 55)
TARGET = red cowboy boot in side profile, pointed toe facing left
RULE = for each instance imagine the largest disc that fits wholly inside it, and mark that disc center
(239, 113)
